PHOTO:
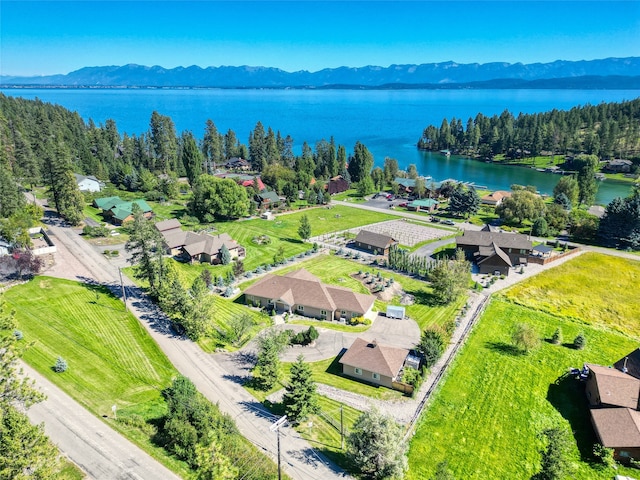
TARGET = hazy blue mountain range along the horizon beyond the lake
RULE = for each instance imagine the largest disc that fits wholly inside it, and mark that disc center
(617, 73)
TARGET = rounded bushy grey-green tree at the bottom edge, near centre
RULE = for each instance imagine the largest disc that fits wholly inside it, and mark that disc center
(376, 447)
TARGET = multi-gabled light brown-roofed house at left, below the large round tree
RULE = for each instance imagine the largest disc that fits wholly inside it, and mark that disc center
(202, 247)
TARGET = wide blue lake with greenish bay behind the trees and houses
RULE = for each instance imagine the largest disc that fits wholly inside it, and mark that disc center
(388, 122)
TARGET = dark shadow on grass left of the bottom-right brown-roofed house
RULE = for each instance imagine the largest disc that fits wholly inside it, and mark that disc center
(568, 397)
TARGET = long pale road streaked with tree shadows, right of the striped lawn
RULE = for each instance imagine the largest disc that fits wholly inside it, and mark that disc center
(300, 461)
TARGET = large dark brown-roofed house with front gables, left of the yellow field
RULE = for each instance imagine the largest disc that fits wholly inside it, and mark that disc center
(495, 251)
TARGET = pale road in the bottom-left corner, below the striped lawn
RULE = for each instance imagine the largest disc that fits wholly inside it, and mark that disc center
(101, 452)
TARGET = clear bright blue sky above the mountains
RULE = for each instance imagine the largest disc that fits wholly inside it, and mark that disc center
(41, 38)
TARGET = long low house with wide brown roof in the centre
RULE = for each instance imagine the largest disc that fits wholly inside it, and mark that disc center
(303, 293)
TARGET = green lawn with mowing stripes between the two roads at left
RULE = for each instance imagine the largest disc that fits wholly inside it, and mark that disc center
(111, 358)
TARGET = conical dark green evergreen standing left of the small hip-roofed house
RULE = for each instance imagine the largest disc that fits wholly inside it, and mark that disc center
(300, 399)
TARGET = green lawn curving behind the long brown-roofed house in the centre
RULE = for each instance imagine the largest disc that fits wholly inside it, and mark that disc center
(337, 270)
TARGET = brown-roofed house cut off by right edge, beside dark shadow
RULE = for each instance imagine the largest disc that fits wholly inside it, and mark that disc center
(613, 395)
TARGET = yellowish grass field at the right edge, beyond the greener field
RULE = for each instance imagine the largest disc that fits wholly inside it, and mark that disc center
(600, 290)
